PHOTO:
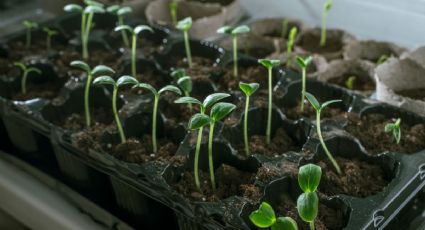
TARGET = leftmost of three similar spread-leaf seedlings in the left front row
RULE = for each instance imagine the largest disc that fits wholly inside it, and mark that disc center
(100, 69)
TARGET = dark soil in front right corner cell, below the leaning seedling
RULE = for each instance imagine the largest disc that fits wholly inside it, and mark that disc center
(359, 178)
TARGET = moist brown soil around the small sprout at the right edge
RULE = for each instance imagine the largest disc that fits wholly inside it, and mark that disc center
(370, 131)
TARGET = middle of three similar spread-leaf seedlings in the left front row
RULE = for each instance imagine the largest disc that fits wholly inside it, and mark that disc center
(122, 81)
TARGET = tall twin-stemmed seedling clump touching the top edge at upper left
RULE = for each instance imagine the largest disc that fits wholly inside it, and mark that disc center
(87, 14)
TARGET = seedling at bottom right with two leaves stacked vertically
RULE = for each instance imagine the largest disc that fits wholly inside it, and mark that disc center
(308, 202)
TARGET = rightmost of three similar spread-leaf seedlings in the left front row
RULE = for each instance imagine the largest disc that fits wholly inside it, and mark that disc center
(156, 94)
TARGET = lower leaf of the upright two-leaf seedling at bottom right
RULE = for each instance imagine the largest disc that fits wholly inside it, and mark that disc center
(308, 206)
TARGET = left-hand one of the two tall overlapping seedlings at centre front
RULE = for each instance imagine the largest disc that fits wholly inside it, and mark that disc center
(198, 121)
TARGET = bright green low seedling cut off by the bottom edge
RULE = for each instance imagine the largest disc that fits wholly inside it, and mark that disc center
(265, 217)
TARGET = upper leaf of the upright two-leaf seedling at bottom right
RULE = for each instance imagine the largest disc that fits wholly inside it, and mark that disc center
(309, 177)
